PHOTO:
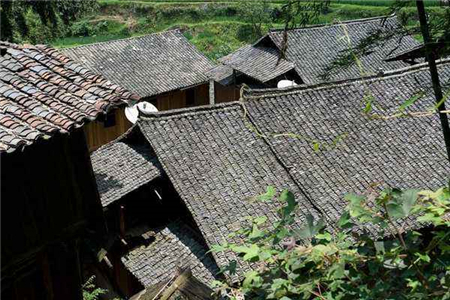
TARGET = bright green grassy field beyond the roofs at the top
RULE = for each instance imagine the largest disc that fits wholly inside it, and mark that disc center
(213, 26)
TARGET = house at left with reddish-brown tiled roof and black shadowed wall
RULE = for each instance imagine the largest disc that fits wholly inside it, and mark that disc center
(49, 196)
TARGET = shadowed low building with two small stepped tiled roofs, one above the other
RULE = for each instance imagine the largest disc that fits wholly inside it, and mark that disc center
(151, 233)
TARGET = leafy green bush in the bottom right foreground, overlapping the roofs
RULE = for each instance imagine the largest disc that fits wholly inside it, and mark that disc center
(367, 255)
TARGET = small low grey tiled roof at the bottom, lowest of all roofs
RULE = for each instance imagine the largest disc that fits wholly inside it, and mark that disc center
(170, 248)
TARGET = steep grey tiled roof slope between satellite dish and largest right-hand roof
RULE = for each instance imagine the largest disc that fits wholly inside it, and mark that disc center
(217, 164)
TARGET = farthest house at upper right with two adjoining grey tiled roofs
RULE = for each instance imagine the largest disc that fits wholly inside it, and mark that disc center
(311, 53)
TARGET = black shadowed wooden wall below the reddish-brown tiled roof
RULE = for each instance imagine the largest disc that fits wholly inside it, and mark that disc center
(49, 199)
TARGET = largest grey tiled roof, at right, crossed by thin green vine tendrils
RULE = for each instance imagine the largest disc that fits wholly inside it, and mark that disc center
(405, 152)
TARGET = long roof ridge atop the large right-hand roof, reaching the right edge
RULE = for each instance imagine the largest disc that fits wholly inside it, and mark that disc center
(269, 92)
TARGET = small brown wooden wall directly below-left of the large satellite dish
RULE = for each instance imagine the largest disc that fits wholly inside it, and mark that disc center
(97, 134)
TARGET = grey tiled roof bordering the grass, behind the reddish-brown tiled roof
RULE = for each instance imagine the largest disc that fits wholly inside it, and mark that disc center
(148, 65)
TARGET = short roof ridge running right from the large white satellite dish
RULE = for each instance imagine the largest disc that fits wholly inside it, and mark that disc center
(181, 112)
